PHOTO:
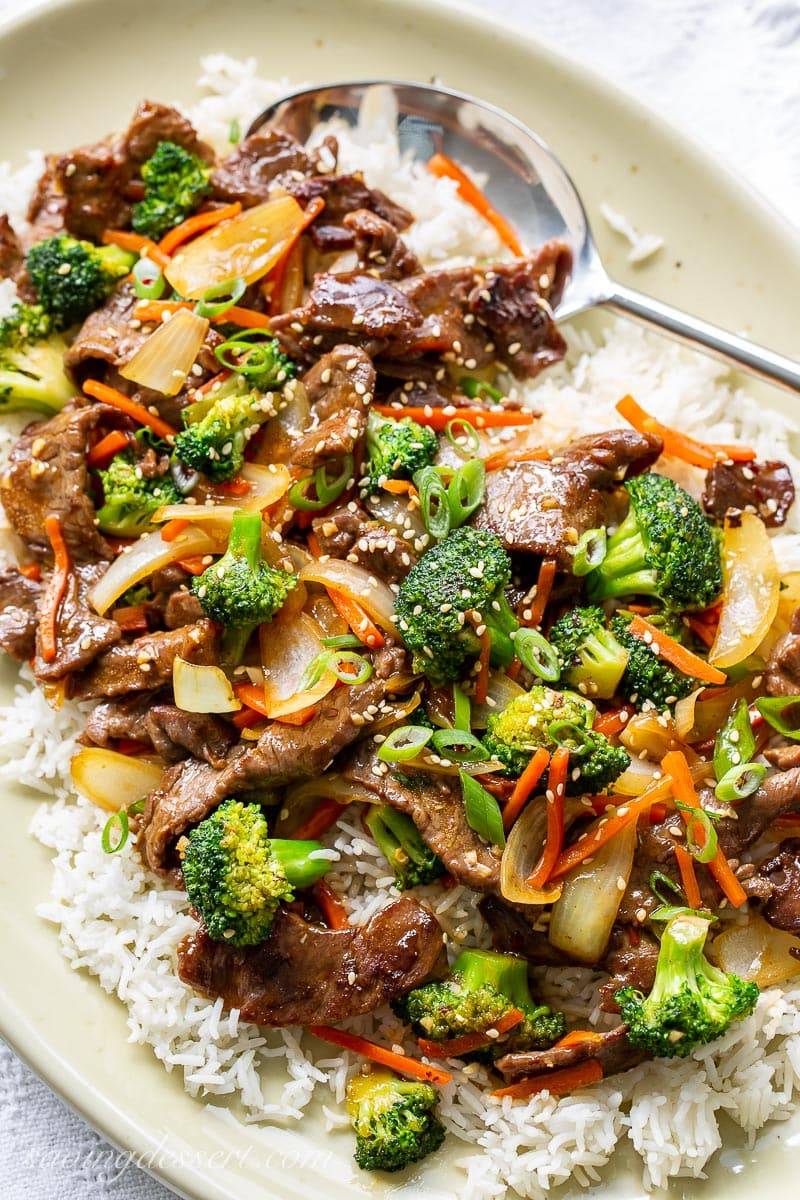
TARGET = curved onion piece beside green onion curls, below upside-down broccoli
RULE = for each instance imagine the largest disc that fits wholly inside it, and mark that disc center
(290, 644)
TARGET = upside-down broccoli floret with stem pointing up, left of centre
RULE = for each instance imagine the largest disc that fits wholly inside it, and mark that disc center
(240, 590)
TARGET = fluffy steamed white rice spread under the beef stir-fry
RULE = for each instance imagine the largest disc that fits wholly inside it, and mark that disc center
(123, 925)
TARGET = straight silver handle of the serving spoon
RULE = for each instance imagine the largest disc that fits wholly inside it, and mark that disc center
(731, 347)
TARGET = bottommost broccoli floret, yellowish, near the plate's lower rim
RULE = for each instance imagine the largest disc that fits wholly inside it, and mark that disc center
(395, 1121)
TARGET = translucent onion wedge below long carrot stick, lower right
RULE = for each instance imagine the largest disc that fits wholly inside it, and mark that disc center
(582, 919)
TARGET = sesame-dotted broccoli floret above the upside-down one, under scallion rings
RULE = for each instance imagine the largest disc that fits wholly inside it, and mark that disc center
(219, 429)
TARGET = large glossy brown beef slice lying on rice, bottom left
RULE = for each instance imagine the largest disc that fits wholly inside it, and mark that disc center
(304, 974)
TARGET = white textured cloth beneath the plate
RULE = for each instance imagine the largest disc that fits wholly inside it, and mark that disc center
(729, 74)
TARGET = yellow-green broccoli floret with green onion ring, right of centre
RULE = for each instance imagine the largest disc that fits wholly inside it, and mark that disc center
(548, 718)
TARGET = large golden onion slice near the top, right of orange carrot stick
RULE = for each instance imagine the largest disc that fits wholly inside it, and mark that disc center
(246, 248)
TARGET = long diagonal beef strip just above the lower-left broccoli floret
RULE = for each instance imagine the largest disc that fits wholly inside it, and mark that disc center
(282, 755)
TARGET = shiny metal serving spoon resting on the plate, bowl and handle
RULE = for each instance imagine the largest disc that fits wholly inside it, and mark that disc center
(528, 185)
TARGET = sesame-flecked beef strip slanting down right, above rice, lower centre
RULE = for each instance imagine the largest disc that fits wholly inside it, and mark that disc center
(437, 808)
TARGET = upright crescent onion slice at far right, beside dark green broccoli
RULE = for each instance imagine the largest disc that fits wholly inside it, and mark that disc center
(751, 591)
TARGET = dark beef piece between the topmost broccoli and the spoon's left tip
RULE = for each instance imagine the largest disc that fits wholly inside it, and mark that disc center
(262, 160)
